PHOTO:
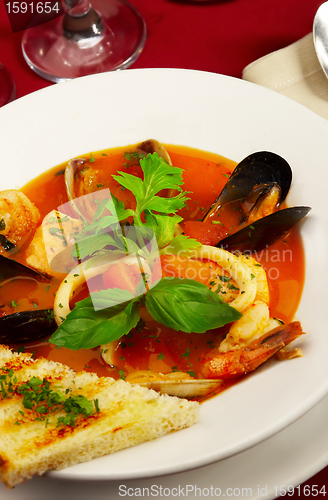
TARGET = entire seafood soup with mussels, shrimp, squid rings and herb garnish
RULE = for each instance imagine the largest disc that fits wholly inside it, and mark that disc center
(188, 304)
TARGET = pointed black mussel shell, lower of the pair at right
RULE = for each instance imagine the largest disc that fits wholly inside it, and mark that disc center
(264, 232)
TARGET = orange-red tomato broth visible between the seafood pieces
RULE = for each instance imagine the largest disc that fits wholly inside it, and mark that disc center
(154, 347)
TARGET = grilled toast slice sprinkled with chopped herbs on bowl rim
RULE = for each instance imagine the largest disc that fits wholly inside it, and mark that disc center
(37, 439)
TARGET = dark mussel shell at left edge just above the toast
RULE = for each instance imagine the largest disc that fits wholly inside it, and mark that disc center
(26, 326)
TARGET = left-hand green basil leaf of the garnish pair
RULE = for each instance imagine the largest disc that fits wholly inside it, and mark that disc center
(85, 328)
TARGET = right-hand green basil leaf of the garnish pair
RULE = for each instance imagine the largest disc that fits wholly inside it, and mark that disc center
(188, 305)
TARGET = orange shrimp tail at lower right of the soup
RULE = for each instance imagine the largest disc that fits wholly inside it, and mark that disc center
(235, 363)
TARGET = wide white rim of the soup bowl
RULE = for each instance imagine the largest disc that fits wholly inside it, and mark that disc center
(222, 115)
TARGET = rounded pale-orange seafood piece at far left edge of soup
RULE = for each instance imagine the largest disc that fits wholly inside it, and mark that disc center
(18, 216)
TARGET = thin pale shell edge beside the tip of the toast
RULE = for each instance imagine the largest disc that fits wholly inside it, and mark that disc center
(188, 389)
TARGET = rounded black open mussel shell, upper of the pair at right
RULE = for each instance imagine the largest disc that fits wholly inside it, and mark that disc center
(258, 170)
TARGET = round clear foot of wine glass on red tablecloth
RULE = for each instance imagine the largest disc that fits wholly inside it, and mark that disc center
(89, 38)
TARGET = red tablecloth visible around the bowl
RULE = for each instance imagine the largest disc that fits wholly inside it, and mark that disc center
(221, 36)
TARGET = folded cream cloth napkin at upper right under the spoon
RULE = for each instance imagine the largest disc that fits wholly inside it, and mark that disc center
(295, 72)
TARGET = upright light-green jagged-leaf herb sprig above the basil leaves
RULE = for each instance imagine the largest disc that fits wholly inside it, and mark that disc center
(152, 211)
